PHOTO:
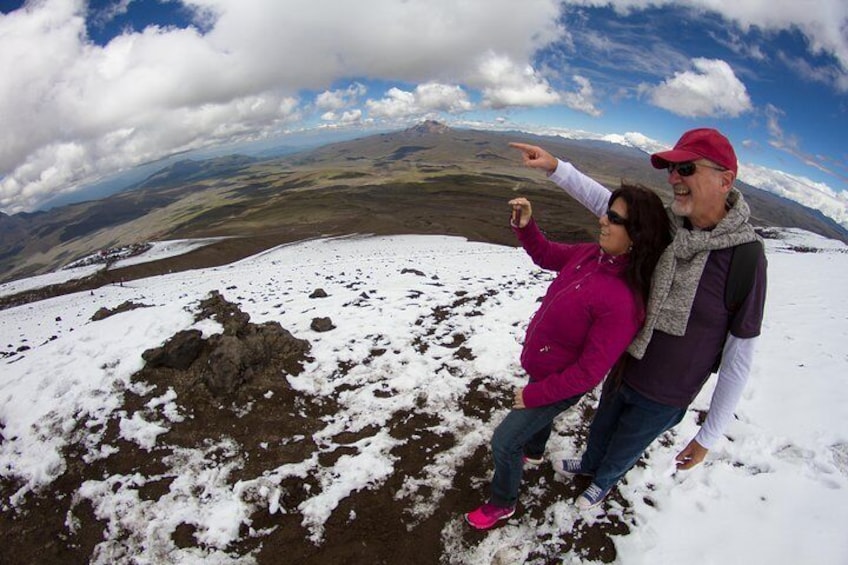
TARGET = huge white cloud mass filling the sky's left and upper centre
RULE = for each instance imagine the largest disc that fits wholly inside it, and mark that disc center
(73, 111)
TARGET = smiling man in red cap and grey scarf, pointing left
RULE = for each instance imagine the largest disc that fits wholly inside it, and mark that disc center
(688, 326)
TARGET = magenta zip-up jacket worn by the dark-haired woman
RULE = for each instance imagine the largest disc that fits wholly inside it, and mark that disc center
(587, 319)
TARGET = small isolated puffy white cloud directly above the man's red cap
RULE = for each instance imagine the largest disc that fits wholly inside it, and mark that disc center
(710, 88)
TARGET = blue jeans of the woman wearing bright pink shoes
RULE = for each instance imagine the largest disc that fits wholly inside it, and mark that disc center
(523, 431)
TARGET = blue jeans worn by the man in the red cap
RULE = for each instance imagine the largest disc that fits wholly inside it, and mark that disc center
(625, 424)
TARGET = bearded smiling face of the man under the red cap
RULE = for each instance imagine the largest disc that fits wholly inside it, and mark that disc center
(701, 195)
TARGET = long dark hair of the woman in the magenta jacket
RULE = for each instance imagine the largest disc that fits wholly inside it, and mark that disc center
(649, 230)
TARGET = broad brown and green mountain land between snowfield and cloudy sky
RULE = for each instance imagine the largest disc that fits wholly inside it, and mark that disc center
(425, 179)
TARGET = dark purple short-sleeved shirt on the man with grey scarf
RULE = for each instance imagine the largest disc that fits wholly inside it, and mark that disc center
(674, 368)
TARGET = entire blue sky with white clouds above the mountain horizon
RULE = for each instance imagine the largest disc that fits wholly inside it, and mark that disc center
(96, 88)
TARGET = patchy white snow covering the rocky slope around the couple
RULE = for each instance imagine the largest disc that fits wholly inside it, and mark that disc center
(776, 491)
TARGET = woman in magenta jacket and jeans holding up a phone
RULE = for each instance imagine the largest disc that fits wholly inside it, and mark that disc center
(589, 315)
